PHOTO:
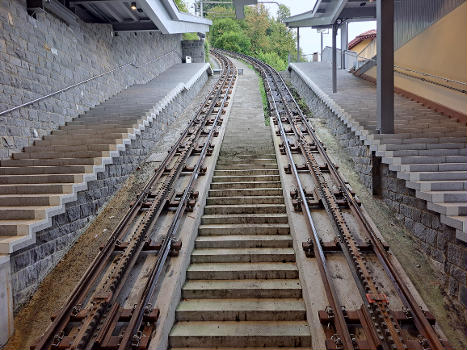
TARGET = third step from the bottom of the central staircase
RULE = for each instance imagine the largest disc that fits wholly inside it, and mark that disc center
(246, 288)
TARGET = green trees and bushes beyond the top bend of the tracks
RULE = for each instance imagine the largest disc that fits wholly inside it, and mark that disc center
(259, 34)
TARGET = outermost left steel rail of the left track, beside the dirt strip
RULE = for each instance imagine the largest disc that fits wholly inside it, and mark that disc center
(96, 267)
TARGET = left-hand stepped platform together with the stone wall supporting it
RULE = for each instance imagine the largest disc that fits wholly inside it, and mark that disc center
(51, 191)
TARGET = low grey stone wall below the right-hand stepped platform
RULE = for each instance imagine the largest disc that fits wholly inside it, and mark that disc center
(435, 239)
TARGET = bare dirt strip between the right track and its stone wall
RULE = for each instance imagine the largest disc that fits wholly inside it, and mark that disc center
(450, 316)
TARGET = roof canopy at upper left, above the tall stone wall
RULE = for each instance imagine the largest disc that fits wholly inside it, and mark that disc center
(125, 15)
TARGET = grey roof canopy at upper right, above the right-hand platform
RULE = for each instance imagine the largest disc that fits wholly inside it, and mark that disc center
(325, 13)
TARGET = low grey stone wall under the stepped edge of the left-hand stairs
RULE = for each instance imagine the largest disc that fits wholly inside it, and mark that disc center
(29, 266)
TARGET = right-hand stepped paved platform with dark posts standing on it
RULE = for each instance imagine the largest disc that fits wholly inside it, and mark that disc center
(428, 149)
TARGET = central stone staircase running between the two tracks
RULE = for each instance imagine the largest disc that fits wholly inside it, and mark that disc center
(242, 288)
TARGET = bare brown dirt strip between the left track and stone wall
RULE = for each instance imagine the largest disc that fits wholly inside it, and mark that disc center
(33, 319)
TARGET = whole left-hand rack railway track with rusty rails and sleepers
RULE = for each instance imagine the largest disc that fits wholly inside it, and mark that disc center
(112, 306)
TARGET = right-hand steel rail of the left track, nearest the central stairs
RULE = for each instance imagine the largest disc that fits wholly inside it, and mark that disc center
(174, 228)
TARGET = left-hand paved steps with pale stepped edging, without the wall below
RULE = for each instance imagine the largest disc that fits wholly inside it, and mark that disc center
(36, 184)
